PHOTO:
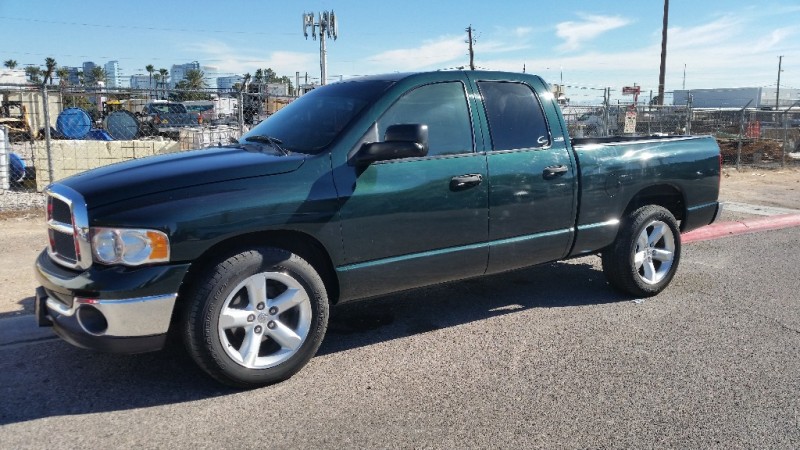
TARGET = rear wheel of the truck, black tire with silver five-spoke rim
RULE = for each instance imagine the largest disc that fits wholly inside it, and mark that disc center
(645, 256)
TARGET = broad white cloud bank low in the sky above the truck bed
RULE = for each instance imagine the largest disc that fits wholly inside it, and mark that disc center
(718, 53)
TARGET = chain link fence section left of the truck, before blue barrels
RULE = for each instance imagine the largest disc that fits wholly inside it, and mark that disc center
(51, 132)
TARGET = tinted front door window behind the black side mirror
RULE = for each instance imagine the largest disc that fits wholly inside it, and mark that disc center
(441, 106)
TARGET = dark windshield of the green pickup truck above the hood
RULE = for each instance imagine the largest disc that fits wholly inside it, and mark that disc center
(312, 121)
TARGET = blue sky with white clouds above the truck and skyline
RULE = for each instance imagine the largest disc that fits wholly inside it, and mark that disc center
(586, 45)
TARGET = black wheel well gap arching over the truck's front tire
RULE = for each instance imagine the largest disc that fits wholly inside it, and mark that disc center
(296, 242)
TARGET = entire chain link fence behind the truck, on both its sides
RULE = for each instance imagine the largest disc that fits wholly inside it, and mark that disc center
(50, 132)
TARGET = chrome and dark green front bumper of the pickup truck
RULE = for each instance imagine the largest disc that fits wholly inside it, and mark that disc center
(108, 308)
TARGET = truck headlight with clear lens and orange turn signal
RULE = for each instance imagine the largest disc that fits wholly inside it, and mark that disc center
(129, 246)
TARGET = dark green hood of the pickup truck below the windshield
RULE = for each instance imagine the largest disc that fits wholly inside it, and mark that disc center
(163, 173)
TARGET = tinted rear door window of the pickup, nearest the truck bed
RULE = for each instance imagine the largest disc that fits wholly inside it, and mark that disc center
(516, 119)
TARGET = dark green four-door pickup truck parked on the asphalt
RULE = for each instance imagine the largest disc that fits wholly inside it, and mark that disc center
(355, 190)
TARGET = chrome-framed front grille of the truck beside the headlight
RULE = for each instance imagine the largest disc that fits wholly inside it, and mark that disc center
(68, 228)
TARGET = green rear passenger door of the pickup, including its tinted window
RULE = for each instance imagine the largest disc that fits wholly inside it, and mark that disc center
(532, 178)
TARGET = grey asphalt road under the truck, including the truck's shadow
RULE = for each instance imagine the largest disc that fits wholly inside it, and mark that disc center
(545, 357)
